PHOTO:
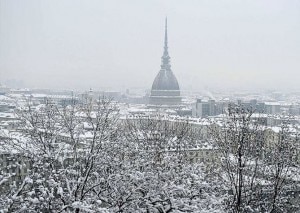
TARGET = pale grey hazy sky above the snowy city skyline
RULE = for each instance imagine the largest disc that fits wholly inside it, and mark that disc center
(118, 44)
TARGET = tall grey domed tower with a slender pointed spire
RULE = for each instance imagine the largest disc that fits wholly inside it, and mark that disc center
(165, 88)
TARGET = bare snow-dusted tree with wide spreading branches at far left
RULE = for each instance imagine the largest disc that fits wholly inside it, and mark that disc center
(65, 147)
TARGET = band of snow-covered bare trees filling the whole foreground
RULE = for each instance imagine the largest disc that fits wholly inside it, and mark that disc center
(84, 157)
